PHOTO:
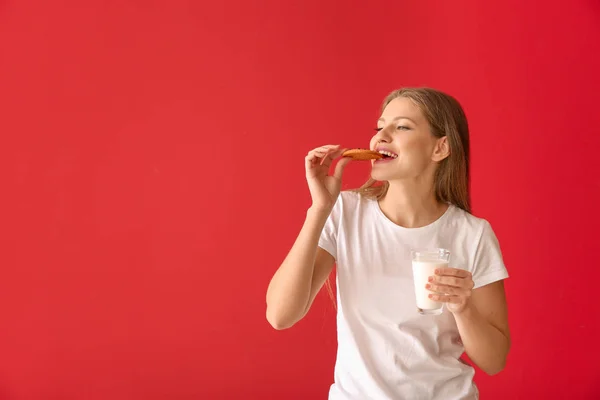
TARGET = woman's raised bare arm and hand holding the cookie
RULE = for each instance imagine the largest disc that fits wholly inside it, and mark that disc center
(306, 267)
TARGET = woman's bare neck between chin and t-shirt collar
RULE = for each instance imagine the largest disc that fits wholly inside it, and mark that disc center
(411, 204)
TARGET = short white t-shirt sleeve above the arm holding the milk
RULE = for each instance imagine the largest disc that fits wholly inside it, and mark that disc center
(488, 261)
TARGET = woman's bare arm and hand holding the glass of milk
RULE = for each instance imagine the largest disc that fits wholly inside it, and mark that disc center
(481, 316)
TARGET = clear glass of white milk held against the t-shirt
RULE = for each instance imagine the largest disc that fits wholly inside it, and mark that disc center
(424, 263)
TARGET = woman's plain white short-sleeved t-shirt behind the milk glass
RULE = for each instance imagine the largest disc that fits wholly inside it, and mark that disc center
(386, 349)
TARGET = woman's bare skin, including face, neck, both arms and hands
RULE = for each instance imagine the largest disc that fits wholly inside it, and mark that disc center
(480, 314)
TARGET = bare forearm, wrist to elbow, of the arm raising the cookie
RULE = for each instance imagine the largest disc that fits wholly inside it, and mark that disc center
(289, 290)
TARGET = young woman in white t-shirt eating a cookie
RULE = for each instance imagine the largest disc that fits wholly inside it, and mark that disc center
(418, 197)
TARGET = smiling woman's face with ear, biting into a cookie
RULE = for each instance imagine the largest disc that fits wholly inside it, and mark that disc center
(404, 136)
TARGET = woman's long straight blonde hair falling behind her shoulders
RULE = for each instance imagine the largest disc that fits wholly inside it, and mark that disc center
(446, 117)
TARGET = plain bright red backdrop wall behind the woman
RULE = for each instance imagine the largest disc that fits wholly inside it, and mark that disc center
(147, 146)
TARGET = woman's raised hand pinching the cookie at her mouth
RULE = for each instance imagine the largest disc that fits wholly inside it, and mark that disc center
(324, 188)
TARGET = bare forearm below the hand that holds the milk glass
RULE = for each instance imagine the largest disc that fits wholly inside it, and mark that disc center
(485, 344)
